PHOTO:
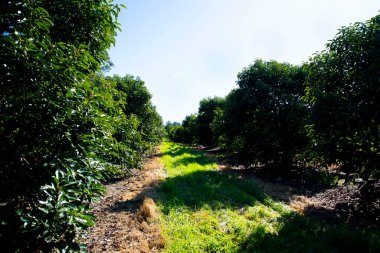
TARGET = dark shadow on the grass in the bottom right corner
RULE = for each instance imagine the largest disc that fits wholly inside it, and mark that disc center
(303, 234)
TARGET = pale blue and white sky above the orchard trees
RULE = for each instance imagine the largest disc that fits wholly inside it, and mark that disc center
(186, 50)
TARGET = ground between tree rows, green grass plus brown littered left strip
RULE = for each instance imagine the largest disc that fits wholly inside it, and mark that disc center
(182, 202)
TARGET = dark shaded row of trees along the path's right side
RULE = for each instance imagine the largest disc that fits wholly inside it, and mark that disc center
(280, 115)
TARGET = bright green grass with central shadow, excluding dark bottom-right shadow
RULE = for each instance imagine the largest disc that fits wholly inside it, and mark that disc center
(207, 211)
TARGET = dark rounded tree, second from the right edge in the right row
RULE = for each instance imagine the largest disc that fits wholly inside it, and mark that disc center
(263, 119)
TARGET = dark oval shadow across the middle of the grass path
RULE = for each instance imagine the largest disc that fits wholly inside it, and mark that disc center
(212, 188)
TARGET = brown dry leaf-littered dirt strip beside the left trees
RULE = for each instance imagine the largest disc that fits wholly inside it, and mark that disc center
(126, 217)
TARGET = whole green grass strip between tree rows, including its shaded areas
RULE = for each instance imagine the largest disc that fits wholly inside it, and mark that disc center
(204, 210)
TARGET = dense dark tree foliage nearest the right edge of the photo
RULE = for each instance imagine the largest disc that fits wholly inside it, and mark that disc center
(343, 92)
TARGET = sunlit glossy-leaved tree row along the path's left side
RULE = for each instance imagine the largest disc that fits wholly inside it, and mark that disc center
(64, 127)
